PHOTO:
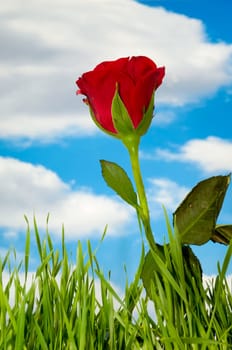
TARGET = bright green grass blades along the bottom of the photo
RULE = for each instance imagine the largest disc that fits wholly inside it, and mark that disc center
(74, 306)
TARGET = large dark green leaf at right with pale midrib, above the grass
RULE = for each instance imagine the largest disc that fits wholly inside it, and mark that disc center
(195, 219)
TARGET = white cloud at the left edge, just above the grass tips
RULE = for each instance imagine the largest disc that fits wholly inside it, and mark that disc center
(32, 189)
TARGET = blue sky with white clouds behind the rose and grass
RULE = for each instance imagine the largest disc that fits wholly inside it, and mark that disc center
(50, 148)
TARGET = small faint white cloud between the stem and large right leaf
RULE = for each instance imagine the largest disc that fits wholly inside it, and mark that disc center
(165, 192)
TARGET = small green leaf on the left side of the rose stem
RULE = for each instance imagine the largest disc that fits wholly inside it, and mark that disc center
(117, 179)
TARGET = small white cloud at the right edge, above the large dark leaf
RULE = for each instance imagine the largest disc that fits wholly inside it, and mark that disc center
(211, 154)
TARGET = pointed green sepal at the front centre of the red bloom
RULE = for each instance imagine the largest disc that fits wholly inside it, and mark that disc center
(121, 119)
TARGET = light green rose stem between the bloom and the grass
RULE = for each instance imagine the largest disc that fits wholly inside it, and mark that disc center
(132, 144)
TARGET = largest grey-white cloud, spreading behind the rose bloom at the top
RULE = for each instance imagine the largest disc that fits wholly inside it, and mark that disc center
(46, 50)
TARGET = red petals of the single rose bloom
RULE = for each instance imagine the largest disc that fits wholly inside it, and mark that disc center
(136, 79)
